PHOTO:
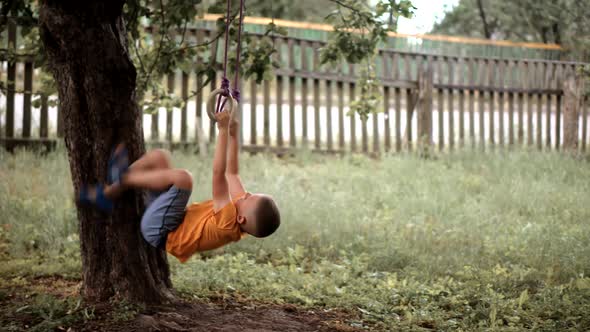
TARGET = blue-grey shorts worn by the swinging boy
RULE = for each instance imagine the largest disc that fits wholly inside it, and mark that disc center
(164, 213)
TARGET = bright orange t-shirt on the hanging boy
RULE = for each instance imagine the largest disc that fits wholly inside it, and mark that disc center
(203, 229)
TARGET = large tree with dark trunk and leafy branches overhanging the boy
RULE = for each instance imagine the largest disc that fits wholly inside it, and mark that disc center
(107, 69)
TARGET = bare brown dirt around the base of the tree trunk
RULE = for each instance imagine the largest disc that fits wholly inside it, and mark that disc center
(221, 314)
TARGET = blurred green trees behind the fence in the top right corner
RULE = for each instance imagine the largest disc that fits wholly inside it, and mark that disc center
(563, 22)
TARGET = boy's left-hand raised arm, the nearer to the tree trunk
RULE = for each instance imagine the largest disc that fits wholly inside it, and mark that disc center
(220, 185)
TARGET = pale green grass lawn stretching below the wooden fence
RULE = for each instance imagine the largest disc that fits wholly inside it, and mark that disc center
(467, 241)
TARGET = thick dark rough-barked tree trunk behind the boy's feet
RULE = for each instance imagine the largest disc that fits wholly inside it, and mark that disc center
(87, 53)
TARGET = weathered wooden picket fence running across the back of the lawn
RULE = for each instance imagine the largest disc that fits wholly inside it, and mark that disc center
(459, 101)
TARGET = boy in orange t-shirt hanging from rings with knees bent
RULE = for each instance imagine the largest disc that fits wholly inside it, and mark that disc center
(183, 230)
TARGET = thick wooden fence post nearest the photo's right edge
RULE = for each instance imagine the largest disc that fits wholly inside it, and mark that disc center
(573, 89)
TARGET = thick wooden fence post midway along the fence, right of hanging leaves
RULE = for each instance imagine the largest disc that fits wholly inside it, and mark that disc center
(425, 87)
